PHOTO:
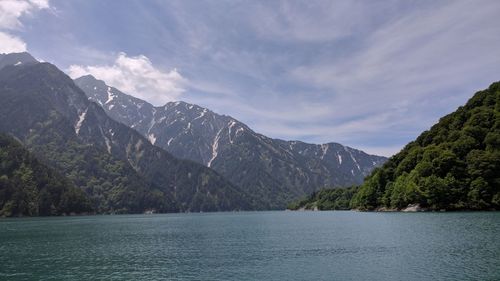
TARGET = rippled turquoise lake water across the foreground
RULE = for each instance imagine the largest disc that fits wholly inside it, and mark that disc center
(253, 246)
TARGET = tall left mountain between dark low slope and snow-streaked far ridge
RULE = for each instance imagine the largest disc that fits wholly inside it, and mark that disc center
(119, 169)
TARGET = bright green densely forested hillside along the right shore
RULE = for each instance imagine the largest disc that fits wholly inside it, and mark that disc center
(453, 166)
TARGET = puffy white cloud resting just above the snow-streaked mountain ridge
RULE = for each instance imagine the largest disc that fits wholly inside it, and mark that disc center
(138, 77)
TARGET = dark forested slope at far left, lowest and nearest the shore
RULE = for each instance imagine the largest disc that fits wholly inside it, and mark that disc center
(28, 187)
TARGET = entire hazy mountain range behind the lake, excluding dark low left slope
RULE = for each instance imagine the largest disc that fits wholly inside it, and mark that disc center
(129, 156)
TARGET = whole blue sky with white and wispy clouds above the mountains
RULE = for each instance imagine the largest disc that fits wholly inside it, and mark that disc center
(368, 74)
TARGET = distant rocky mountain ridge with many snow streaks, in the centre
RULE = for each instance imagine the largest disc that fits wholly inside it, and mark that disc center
(273, 170)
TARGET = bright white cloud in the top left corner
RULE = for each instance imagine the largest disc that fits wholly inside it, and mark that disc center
(11, 12)
